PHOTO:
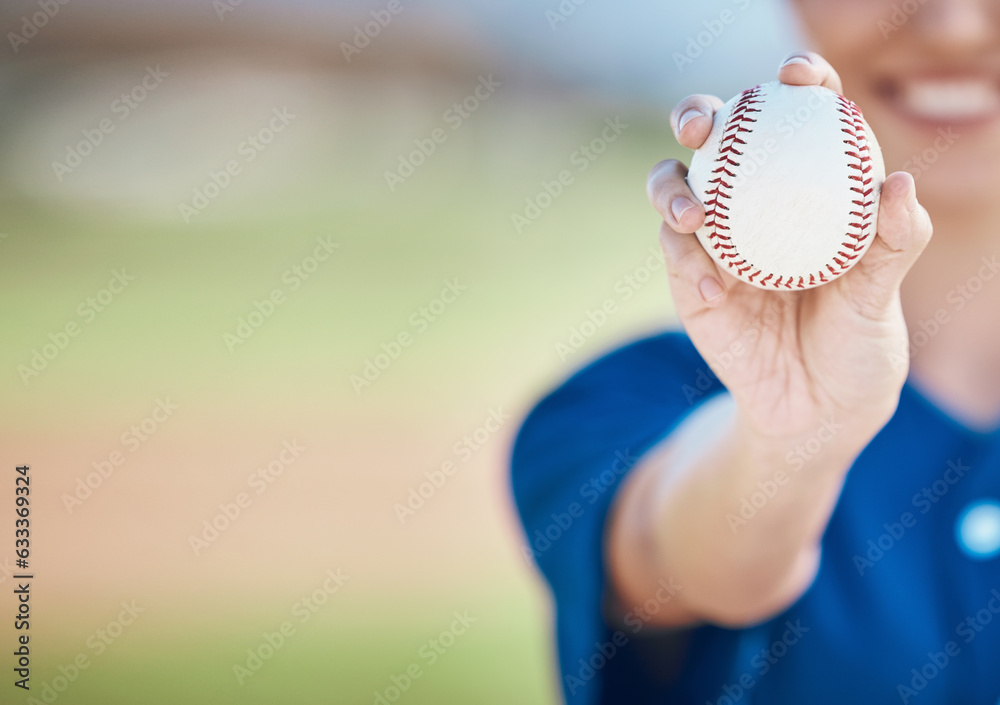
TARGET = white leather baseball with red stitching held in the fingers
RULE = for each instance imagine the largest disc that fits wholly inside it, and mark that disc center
(790, 179)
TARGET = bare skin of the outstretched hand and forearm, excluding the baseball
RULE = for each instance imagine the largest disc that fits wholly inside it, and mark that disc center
(806, 359)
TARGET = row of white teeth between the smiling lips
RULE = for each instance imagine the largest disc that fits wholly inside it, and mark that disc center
(964, 99)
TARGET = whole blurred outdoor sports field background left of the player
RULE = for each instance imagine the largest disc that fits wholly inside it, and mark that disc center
(279, 280)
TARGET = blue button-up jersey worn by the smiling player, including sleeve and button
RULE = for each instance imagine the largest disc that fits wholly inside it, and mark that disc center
(905, 607)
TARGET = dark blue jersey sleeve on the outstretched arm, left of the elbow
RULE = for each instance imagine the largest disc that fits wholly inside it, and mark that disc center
(570, 455)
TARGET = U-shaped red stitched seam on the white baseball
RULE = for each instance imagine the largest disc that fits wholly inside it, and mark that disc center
(861, 184)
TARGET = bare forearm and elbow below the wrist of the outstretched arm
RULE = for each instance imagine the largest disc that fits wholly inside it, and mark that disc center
(733, 518)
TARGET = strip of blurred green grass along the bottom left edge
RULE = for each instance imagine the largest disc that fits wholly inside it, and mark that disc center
(333, 658)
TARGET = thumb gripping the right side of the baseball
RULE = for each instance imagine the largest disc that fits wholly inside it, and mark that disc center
(902, 232)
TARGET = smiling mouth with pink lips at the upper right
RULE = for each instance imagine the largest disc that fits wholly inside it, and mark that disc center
(937, 101)
